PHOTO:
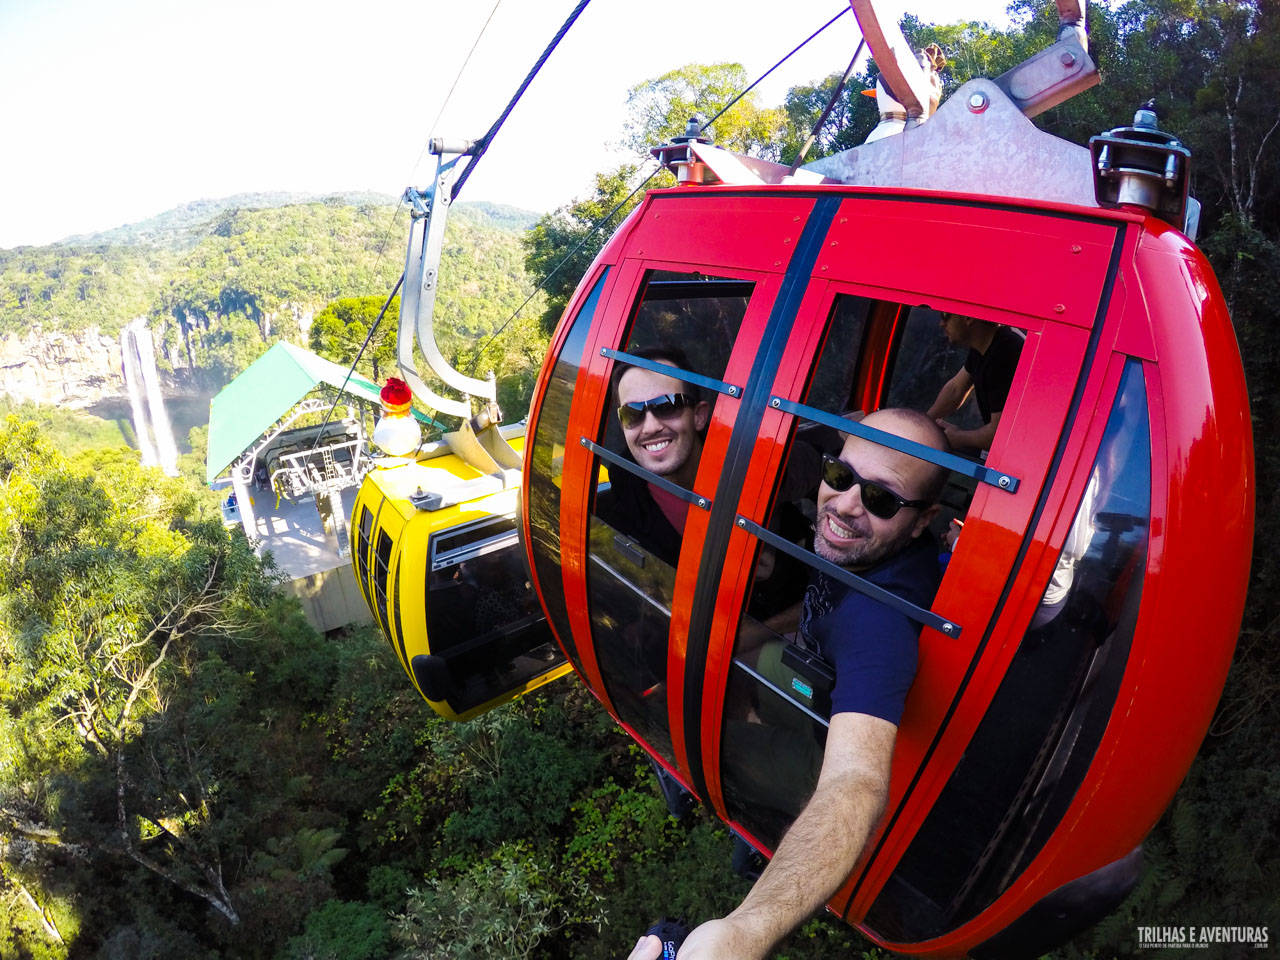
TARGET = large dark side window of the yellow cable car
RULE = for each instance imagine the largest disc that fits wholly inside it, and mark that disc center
(488, 633)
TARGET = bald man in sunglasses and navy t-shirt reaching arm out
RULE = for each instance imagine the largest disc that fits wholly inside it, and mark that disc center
(875, 506)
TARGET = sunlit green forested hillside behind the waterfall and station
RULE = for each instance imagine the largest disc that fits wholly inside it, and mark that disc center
(222, 281)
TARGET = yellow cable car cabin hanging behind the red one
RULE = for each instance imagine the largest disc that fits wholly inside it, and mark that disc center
(438, 560)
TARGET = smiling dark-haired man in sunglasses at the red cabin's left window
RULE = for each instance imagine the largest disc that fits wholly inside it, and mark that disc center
(664, 420)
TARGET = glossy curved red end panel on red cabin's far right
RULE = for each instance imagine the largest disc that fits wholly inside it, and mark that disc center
(1199, 561)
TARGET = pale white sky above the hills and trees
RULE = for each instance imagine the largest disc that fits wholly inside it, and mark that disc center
(116, 112)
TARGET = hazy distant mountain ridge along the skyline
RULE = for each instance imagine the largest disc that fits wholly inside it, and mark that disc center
(184, 226)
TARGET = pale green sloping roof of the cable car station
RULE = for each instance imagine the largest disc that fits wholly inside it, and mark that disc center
(252, 404)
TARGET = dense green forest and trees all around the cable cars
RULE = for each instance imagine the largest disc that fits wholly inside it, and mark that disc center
(189, 770)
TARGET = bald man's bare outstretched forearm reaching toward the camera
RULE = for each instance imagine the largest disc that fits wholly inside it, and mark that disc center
(820, 851)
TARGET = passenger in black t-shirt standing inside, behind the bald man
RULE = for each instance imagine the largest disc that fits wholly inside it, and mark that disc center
(988, 373)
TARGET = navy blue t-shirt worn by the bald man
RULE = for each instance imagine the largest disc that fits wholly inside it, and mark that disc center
(872, 648)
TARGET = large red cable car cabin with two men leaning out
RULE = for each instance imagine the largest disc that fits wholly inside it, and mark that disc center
(1069, 665)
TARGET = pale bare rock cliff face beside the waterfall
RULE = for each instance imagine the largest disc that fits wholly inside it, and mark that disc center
(68, 369)
